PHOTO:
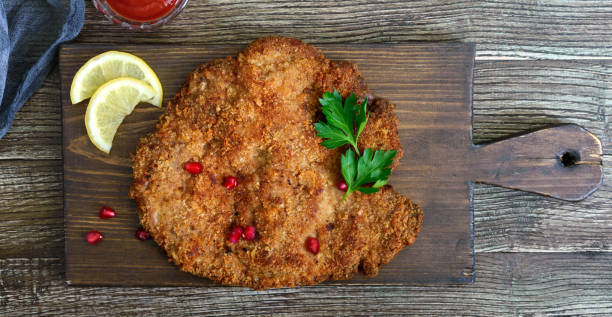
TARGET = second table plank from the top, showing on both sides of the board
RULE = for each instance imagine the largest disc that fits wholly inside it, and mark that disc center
(510, 97)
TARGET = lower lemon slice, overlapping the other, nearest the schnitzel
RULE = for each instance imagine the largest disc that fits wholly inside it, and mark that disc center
(110, 104)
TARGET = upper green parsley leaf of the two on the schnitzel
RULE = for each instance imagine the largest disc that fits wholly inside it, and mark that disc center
(344, 122)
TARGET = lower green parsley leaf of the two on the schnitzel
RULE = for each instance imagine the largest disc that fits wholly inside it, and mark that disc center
(369, 168)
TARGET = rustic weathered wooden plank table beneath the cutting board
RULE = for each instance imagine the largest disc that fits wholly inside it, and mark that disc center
(537, 64)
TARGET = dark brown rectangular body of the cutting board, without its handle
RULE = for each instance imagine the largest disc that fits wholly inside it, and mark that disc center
(431, 86)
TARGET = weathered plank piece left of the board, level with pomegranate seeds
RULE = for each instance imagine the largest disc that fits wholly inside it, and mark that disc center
(31, 208)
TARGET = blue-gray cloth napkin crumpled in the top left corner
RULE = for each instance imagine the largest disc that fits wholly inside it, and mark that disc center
(30, 32)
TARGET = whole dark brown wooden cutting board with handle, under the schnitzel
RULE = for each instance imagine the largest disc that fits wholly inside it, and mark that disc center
(430, 83)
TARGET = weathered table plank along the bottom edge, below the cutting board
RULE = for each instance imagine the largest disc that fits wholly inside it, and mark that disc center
(506, 284)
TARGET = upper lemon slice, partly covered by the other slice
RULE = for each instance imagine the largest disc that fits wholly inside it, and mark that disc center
(110, 65)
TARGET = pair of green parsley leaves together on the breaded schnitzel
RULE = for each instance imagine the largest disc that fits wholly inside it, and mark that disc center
(344, 125)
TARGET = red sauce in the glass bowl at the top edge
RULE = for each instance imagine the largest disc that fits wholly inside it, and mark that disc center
(142, 10)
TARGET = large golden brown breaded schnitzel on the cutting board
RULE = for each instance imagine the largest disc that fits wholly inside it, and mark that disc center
(252, 117)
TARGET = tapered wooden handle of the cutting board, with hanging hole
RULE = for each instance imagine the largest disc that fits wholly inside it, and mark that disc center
(564, 162)
